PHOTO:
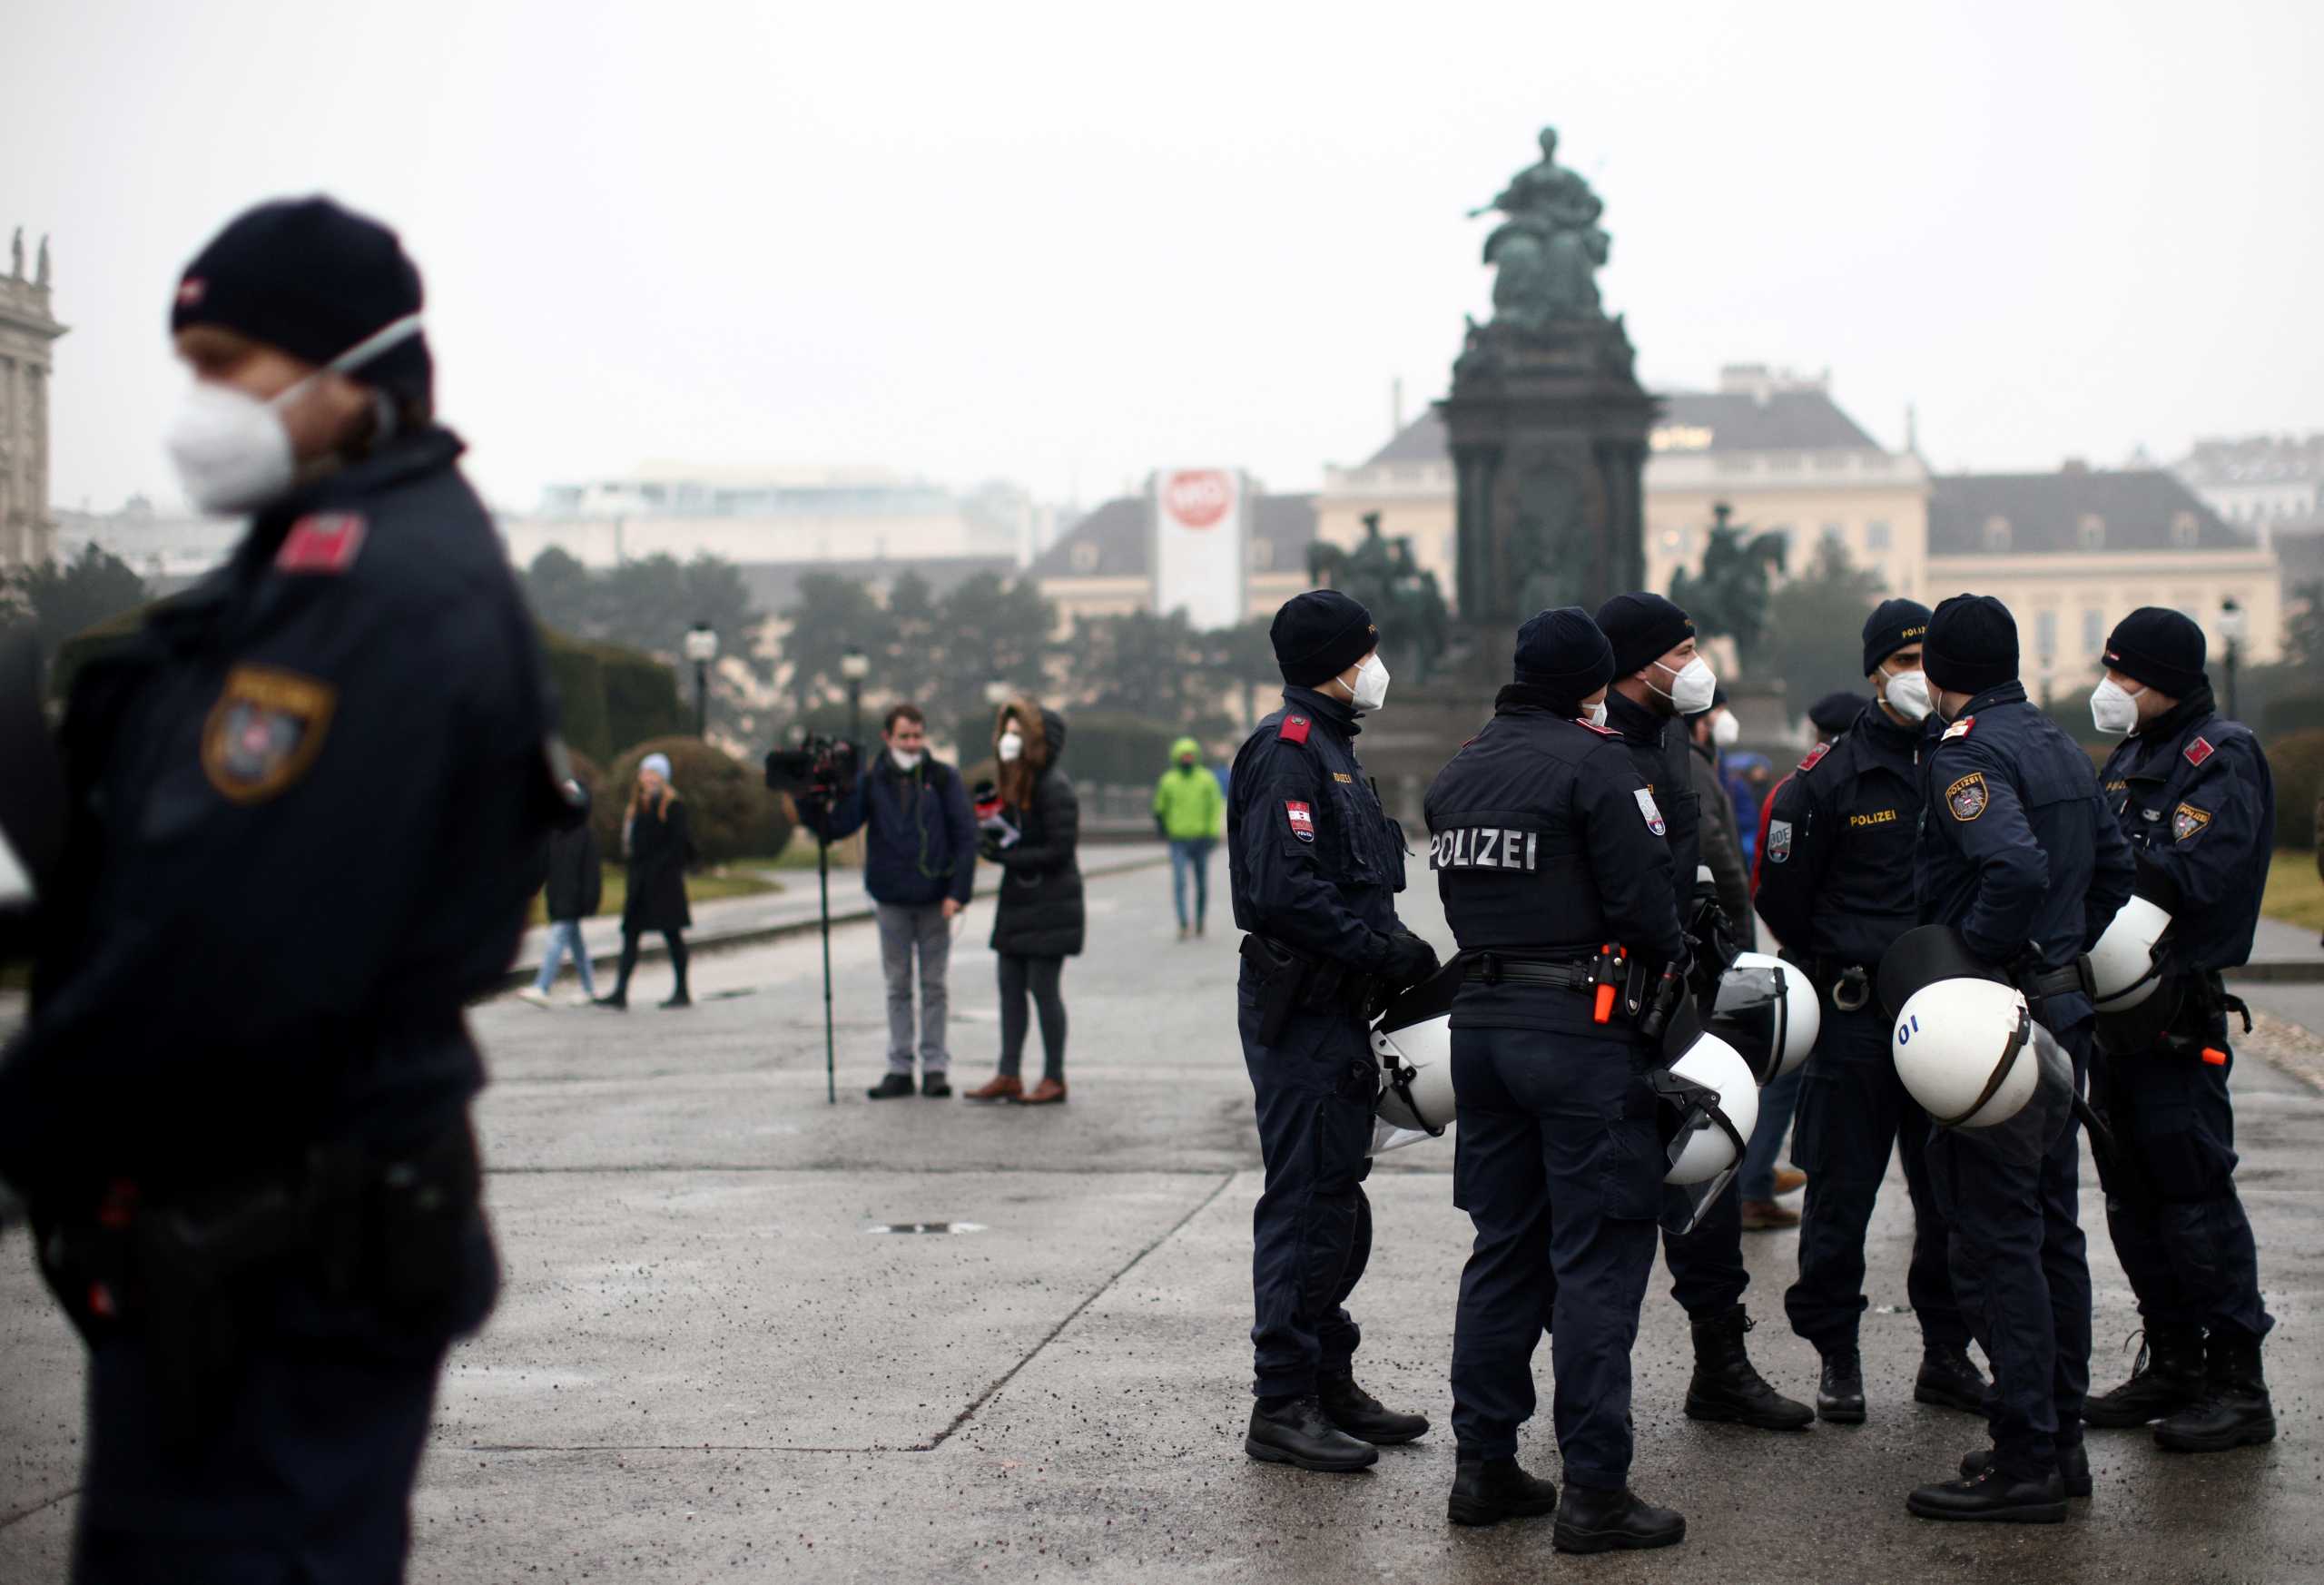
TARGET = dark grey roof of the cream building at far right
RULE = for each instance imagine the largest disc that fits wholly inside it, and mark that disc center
(2144, 510)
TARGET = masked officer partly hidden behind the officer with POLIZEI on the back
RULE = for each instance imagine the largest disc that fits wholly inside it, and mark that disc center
(1658, 677)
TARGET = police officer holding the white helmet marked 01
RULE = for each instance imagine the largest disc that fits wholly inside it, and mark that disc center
(2023, 859)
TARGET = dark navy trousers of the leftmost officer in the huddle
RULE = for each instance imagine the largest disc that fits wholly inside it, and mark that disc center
(1312, 1233)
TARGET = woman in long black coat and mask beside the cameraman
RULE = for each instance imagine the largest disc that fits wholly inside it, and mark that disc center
(1040, 921)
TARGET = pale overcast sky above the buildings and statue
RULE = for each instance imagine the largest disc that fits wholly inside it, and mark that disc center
(1070, 243)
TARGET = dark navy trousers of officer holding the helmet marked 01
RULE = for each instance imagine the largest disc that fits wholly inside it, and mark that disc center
(2021, 1275)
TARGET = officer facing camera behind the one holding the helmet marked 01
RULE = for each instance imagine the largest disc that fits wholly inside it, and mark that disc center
(1837, 889)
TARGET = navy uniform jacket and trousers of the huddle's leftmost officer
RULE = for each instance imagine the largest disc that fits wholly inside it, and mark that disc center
(1314, 866)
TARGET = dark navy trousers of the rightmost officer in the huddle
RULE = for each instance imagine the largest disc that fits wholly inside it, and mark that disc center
(2172, 1203)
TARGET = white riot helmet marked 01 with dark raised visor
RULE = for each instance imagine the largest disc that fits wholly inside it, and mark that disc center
(1965, 1042)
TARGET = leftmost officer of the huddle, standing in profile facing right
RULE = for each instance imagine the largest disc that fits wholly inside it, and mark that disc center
(1317, 868)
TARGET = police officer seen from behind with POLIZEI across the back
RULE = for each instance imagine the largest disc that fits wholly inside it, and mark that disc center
(1549, 847)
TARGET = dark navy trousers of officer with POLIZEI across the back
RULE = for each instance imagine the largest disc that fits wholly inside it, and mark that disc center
(1558, 1163)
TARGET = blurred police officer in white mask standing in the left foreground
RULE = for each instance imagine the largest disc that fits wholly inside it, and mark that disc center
(308, 812)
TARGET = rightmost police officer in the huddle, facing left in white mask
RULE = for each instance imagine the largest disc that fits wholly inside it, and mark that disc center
(2197, 803)
